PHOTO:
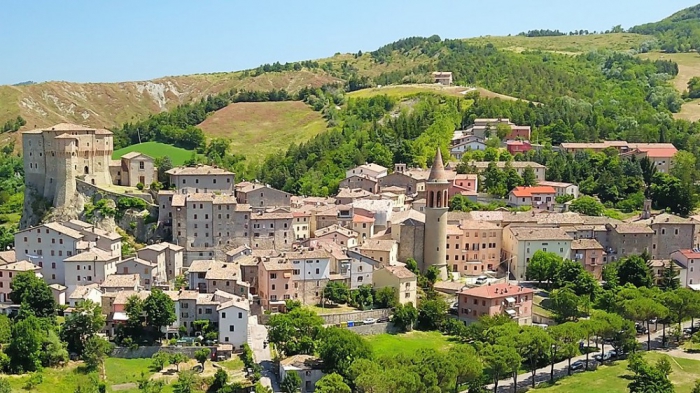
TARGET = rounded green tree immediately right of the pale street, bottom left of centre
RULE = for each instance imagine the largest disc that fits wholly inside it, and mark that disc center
(295, 332)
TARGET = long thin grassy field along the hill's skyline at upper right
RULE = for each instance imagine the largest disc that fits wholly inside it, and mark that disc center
(565, 44)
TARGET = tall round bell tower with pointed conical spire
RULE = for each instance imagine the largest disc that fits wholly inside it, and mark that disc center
(435, 237)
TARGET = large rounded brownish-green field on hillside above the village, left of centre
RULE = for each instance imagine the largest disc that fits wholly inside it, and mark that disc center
(257, 129)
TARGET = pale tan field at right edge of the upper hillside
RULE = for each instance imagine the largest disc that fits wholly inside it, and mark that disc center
(688, 67)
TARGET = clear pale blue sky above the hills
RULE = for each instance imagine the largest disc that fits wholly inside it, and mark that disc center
(127, 40)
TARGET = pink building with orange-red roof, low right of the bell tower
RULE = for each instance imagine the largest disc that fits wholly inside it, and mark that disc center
(504, 298)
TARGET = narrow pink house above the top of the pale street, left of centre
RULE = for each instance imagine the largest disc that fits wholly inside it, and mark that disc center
(275, 282)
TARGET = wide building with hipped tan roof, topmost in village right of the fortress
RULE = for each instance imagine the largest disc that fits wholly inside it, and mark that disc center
(201, 179)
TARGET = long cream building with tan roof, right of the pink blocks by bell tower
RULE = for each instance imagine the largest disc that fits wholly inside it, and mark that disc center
(521, 243)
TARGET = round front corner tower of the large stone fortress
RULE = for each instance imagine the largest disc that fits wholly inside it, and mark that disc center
(66, 161)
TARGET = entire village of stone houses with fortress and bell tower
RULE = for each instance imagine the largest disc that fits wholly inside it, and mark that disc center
(232, 253)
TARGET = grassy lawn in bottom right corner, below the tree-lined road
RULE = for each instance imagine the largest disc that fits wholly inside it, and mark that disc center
(614, 378)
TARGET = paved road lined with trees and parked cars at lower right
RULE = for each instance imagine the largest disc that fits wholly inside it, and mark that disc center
(560, 369)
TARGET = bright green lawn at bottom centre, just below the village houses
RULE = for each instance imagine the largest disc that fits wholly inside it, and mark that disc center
(406, 343)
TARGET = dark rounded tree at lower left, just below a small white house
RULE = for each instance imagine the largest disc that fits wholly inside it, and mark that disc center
(81, 325)
